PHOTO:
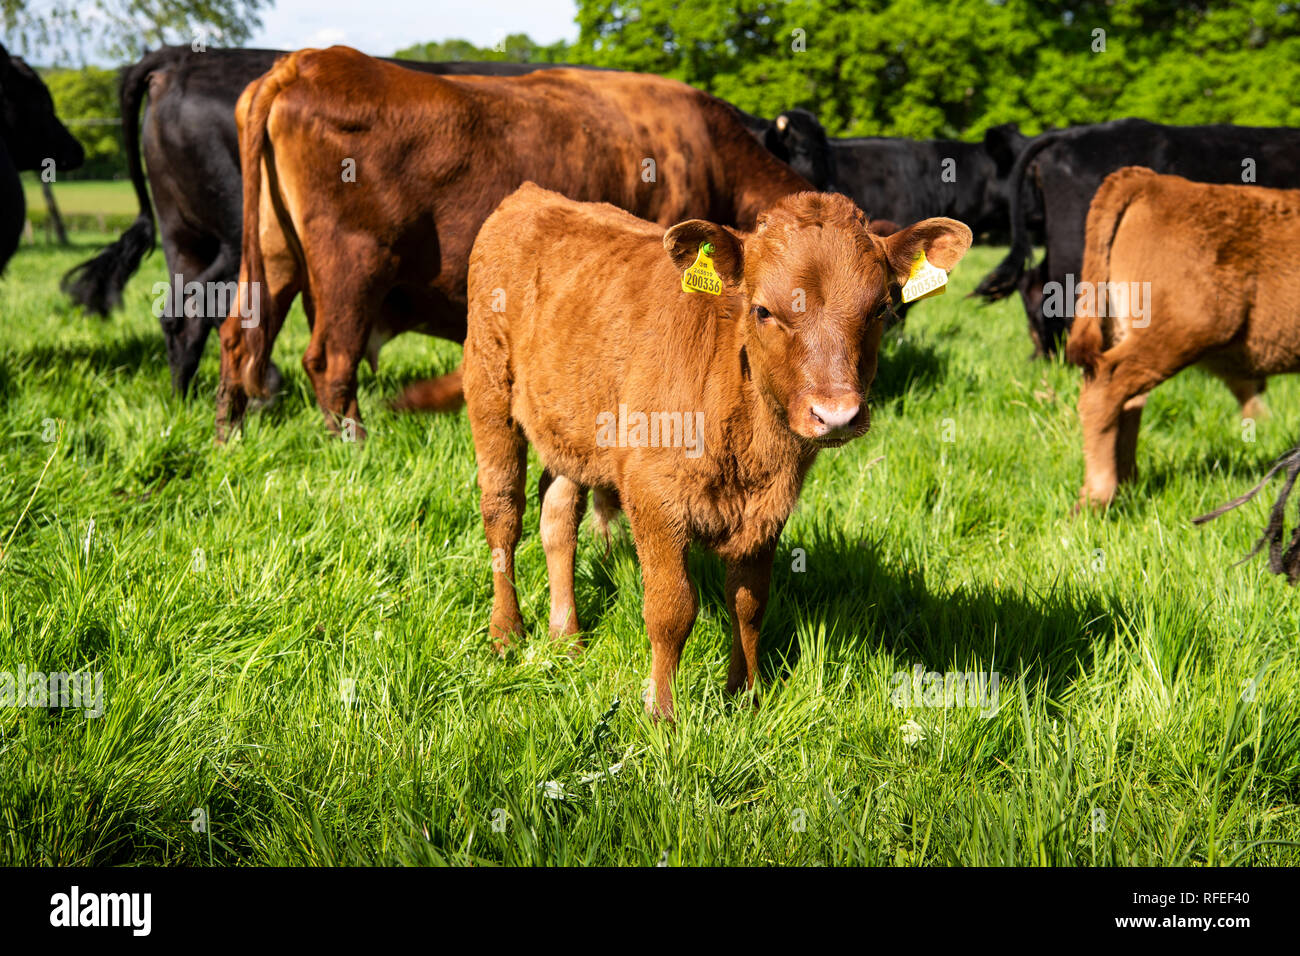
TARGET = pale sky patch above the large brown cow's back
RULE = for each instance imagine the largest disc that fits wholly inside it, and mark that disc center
(383, 27)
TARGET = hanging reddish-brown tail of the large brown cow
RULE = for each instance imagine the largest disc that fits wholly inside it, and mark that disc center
(261, 335)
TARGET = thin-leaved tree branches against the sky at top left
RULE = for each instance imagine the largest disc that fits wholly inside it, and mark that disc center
(124, 29)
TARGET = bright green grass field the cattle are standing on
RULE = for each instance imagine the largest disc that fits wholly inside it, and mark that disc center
(1124, 641)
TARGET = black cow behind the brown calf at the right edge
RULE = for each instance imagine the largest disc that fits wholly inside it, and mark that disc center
(1064, 170)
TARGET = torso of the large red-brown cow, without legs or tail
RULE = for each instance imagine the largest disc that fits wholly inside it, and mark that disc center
(435, 155)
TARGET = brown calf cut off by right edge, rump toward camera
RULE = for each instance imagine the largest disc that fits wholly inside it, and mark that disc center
(1178, 274)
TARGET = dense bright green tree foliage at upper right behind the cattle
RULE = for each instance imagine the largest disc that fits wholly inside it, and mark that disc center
(952, 68)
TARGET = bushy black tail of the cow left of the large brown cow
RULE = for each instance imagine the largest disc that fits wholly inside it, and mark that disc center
(98, 283)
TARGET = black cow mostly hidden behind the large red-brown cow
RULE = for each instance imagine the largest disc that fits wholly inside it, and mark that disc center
(193, 154)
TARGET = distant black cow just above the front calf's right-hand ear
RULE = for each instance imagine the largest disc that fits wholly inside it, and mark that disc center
(908, 180)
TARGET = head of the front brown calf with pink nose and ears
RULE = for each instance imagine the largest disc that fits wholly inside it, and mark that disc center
(811, 288)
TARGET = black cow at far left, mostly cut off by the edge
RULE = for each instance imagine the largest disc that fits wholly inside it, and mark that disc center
(31, 136)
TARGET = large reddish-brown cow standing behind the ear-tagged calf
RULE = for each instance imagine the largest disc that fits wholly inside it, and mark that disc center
(378, 180)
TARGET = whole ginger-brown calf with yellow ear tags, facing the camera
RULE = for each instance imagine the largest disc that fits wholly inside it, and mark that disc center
(699, 413)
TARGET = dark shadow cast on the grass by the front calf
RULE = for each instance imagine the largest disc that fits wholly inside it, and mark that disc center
(860, 604)
